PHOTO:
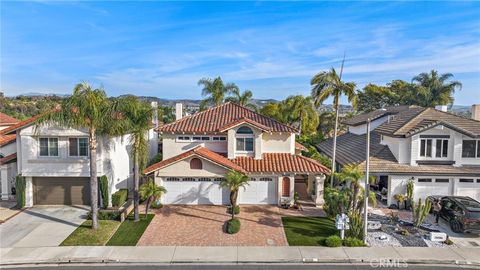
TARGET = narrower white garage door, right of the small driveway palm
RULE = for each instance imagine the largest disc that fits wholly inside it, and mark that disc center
(259, 191)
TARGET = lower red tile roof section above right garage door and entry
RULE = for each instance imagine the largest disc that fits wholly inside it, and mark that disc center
(281, 163)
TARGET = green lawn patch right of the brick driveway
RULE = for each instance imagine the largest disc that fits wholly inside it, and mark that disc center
(308, 231)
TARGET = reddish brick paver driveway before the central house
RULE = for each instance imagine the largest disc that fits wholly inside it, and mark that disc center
(182, 225)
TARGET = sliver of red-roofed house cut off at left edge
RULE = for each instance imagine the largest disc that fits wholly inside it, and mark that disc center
(8, 157)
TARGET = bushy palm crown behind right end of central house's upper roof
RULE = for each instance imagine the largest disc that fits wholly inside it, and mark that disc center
(300, 110)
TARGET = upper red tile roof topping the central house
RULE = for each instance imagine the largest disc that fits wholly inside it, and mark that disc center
(222, 117)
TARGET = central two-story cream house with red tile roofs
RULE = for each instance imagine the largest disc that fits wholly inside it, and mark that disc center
(199, 150)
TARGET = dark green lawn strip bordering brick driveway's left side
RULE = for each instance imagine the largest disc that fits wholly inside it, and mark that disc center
(130, 232)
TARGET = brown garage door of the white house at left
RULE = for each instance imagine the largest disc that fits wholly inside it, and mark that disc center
(61, 190)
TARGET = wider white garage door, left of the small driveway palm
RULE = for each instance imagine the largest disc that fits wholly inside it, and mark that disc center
(194, 191)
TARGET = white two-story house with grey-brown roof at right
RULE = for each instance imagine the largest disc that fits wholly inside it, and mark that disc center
(438, 150)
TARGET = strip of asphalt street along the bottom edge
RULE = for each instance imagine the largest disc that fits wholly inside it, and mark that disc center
(248, 267)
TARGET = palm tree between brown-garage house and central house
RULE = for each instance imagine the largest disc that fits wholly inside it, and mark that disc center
(139, 116)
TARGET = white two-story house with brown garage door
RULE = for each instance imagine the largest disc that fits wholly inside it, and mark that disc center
(55, 162)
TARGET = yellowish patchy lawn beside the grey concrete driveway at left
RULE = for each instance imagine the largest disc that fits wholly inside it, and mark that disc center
(85, 236)
